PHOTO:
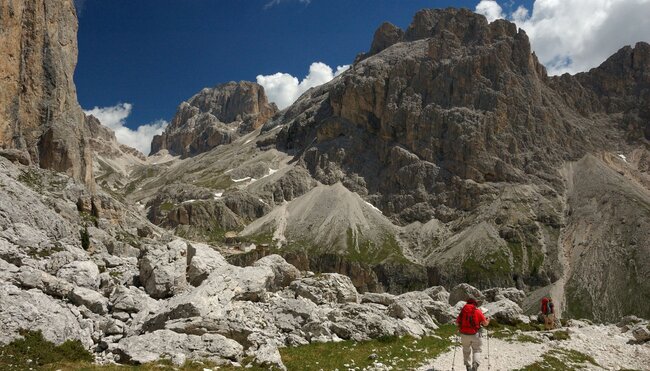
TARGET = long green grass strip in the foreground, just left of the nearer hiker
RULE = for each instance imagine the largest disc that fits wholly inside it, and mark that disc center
(401, 353)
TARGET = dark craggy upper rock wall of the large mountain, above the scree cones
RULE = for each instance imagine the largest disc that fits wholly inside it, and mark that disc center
(452, 109)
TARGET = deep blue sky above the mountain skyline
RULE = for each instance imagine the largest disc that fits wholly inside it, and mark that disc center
(153, 54)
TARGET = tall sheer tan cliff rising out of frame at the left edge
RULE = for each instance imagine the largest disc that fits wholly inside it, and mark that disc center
(39, 112)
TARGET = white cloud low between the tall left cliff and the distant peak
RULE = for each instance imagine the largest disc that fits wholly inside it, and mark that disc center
(115, 119)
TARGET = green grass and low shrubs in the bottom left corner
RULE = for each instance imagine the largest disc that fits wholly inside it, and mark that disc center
(33, 351)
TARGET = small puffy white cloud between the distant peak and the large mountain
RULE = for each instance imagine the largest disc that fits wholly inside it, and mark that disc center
(283, 89)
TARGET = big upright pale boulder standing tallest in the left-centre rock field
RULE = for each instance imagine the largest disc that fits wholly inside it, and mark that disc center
(162, 269)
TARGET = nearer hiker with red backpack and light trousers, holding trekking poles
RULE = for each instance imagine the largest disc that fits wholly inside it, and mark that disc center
(469, 323)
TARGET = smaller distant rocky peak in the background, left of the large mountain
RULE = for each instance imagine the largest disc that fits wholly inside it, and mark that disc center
(214, 117)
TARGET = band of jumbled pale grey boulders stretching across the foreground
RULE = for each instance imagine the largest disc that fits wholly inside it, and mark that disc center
(194, 305)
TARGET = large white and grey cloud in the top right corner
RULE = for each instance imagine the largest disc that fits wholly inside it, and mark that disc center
(576, 35)
